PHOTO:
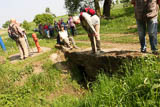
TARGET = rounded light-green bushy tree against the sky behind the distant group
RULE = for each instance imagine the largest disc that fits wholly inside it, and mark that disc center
(43, 19)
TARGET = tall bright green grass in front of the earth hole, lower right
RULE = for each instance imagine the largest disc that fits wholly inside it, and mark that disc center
(140, 87)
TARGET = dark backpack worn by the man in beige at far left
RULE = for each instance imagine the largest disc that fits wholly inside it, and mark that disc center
(13, 34)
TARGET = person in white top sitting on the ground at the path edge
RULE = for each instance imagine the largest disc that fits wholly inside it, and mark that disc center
(65, 39)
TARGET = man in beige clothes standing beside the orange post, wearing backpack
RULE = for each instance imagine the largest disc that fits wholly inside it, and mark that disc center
(16, 33)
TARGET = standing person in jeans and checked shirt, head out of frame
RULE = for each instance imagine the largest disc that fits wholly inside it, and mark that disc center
(146, 14)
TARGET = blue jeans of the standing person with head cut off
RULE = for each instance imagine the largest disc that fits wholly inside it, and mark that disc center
(152, 31)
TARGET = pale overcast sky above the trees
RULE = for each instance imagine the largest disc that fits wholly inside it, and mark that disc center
(27, 9)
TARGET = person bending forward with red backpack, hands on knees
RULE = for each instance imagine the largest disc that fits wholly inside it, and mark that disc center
(91, 23)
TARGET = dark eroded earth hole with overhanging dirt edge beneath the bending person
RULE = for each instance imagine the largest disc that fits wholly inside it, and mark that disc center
(85, 67)
